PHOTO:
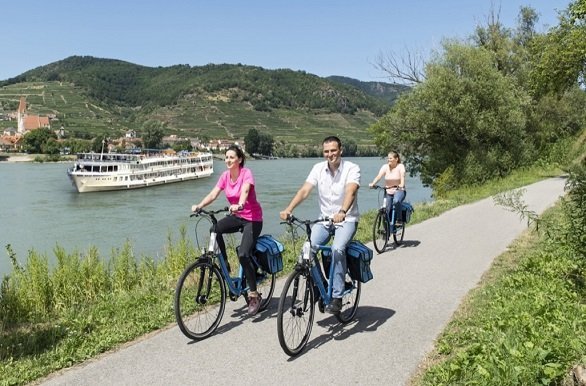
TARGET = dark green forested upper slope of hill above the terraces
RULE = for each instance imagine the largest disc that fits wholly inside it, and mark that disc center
(127, 84)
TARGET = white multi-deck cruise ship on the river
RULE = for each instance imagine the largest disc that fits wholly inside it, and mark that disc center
(96, 172)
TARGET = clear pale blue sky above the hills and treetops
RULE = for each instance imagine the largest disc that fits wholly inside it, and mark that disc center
(328, 37)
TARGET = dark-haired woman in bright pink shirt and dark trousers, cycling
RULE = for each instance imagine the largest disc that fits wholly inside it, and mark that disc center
(238, 184)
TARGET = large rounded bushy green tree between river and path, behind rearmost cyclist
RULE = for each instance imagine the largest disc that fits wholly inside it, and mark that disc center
(467, 119)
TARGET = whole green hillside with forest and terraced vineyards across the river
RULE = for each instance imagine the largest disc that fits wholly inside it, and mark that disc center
(92, 96)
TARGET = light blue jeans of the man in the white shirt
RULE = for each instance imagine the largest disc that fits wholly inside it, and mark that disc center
(343, 233)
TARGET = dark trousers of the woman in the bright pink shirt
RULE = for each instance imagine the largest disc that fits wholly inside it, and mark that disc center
(250, 232)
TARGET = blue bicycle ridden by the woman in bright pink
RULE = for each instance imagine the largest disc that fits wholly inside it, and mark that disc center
(200, 295)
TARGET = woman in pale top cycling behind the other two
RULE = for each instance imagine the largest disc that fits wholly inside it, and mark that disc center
(394, 173)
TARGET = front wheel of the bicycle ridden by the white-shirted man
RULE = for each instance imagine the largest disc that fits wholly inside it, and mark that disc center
(296, 312)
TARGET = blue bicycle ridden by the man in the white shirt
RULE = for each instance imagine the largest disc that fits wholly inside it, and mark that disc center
(307, 286)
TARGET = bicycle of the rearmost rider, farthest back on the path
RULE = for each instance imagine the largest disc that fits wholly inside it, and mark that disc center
(382, 227)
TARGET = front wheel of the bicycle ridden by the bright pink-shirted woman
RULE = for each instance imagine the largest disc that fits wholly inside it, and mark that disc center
(200, 300)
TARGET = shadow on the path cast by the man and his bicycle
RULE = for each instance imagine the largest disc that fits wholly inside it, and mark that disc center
(368, 319)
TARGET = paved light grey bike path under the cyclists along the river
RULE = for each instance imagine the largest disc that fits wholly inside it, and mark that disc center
(415, 291)
